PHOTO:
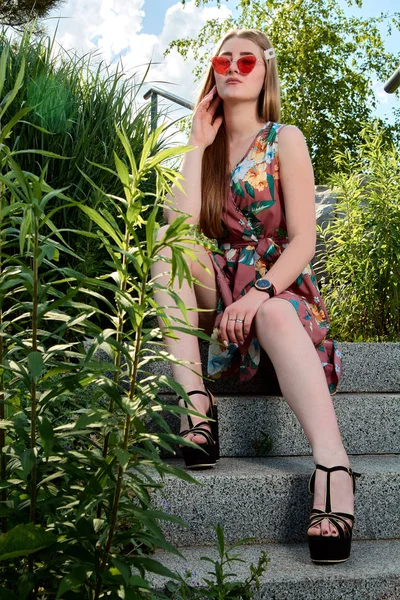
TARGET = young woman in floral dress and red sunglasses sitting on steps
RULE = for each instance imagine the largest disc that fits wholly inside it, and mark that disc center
(249, 184)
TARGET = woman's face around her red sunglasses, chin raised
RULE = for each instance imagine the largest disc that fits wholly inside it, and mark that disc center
(233, 85)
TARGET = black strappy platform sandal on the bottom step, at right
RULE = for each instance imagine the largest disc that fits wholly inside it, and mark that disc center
(329, 549)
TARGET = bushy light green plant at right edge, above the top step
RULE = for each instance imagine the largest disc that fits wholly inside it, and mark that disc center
(362, 243)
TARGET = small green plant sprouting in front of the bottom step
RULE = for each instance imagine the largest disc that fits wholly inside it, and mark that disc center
(220, 584)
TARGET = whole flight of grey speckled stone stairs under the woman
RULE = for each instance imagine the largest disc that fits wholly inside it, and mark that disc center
(266, 497)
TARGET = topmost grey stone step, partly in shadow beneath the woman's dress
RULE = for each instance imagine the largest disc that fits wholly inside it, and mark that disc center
(367, 368)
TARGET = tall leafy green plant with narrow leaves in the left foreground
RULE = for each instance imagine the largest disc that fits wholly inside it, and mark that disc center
(75, 505)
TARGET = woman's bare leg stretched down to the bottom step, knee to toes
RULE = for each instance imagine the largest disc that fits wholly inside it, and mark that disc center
(303, 383)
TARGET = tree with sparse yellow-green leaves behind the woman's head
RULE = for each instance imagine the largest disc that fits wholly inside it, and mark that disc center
(327, 61)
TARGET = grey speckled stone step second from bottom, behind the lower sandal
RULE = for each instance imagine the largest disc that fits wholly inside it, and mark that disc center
(268, 499)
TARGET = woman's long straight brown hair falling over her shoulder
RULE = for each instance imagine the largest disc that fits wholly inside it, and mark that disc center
(215, 167)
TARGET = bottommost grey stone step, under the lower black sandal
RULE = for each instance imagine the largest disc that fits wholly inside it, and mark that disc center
(371, 573)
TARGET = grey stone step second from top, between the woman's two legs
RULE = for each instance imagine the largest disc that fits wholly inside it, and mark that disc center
(368, 424)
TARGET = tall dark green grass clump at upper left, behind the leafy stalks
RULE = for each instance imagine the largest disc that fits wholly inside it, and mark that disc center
(74, 103)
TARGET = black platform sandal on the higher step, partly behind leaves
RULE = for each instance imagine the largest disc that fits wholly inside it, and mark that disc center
(208, 455)
